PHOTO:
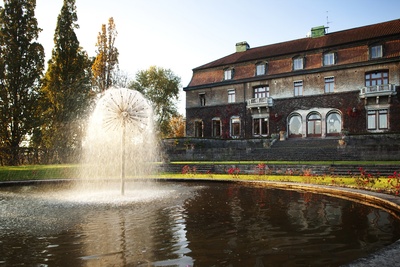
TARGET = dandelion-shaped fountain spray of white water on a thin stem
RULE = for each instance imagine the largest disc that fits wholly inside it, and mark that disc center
(119, 132)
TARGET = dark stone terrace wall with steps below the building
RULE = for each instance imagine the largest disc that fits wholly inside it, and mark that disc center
(363, 147)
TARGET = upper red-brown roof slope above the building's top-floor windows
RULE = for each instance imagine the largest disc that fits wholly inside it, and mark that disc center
(333, 39)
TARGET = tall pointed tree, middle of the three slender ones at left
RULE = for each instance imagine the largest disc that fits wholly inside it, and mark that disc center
(66, 90)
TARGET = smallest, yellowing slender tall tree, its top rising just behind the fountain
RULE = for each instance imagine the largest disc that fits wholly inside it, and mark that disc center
(106, 61)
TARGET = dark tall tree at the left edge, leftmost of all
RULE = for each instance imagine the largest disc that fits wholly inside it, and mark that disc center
(21, 65)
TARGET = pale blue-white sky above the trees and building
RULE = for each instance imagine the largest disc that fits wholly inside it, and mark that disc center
(183, 34)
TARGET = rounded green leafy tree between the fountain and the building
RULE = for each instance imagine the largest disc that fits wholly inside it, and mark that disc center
(161, 87)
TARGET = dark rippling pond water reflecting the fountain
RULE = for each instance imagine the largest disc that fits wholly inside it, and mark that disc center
(186, 224)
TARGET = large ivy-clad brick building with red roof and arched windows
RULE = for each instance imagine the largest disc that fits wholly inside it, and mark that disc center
(316, 86)
